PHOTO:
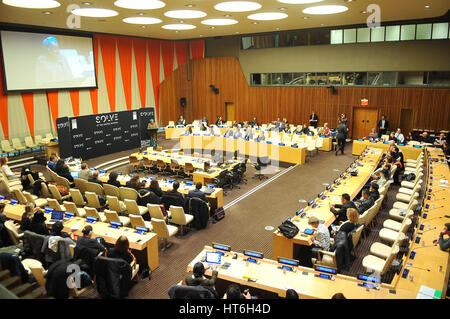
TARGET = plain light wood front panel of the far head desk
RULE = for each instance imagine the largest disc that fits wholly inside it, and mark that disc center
(253, 149)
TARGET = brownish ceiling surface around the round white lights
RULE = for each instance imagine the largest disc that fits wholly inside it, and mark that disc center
(390, 11)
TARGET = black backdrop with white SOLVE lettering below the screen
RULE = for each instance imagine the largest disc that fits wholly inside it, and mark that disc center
(96, 135)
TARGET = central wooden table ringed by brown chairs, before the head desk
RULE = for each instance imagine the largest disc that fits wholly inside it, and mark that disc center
(199, 174)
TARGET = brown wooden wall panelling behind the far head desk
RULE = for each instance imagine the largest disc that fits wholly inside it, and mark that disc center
(431, 106)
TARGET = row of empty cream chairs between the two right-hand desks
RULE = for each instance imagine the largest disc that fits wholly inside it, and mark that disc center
(393, 233)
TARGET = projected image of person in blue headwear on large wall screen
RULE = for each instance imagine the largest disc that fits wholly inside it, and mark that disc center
(36, 61)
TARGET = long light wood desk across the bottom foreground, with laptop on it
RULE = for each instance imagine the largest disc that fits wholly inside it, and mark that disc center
(270, 278)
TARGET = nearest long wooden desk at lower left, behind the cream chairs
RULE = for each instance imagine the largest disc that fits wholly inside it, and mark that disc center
(140, 242)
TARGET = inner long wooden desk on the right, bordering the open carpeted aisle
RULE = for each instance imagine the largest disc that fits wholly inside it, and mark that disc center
(284, 247)
